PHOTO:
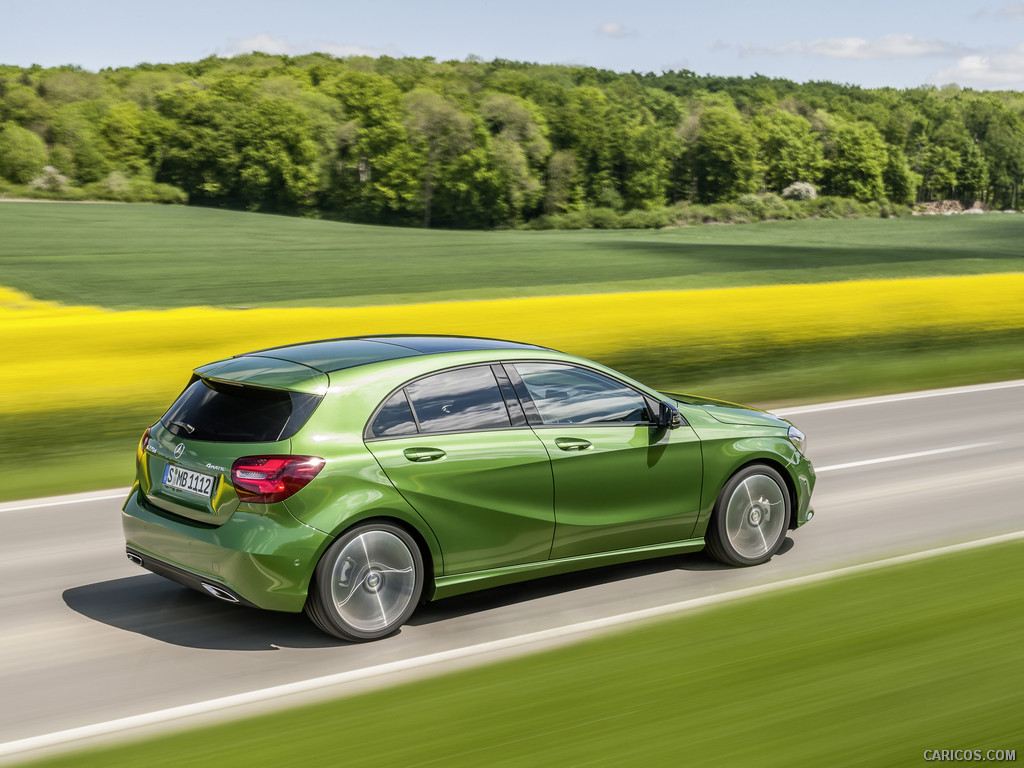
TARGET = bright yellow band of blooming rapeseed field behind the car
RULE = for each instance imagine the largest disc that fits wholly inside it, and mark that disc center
(79, 357)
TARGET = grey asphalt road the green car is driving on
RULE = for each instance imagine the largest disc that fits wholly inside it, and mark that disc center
(87, 637)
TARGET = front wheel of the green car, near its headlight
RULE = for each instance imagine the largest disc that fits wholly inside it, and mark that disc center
(751, 518)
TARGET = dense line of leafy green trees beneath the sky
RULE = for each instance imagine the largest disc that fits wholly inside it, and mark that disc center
(478, 144)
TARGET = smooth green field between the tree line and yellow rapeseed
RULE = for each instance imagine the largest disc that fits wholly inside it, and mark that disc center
(150, 257)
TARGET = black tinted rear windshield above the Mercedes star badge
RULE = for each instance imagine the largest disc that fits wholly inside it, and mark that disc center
(225, 413)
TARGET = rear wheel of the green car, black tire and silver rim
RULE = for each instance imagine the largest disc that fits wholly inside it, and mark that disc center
(367, 584)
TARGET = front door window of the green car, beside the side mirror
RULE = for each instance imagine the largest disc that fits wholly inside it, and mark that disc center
(567, 395)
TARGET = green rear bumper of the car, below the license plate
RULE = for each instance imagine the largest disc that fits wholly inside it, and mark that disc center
(263, 560)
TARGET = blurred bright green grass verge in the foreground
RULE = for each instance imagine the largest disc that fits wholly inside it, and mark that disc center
(868, 670)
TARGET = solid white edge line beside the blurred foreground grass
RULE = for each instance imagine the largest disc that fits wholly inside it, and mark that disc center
(219, 706)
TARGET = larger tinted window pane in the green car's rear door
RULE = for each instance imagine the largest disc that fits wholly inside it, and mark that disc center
(459, 401)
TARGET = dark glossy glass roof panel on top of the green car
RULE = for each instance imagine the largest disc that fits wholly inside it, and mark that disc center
(329, 356)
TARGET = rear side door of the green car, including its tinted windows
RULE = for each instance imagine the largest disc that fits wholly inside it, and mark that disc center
(467, 461)
